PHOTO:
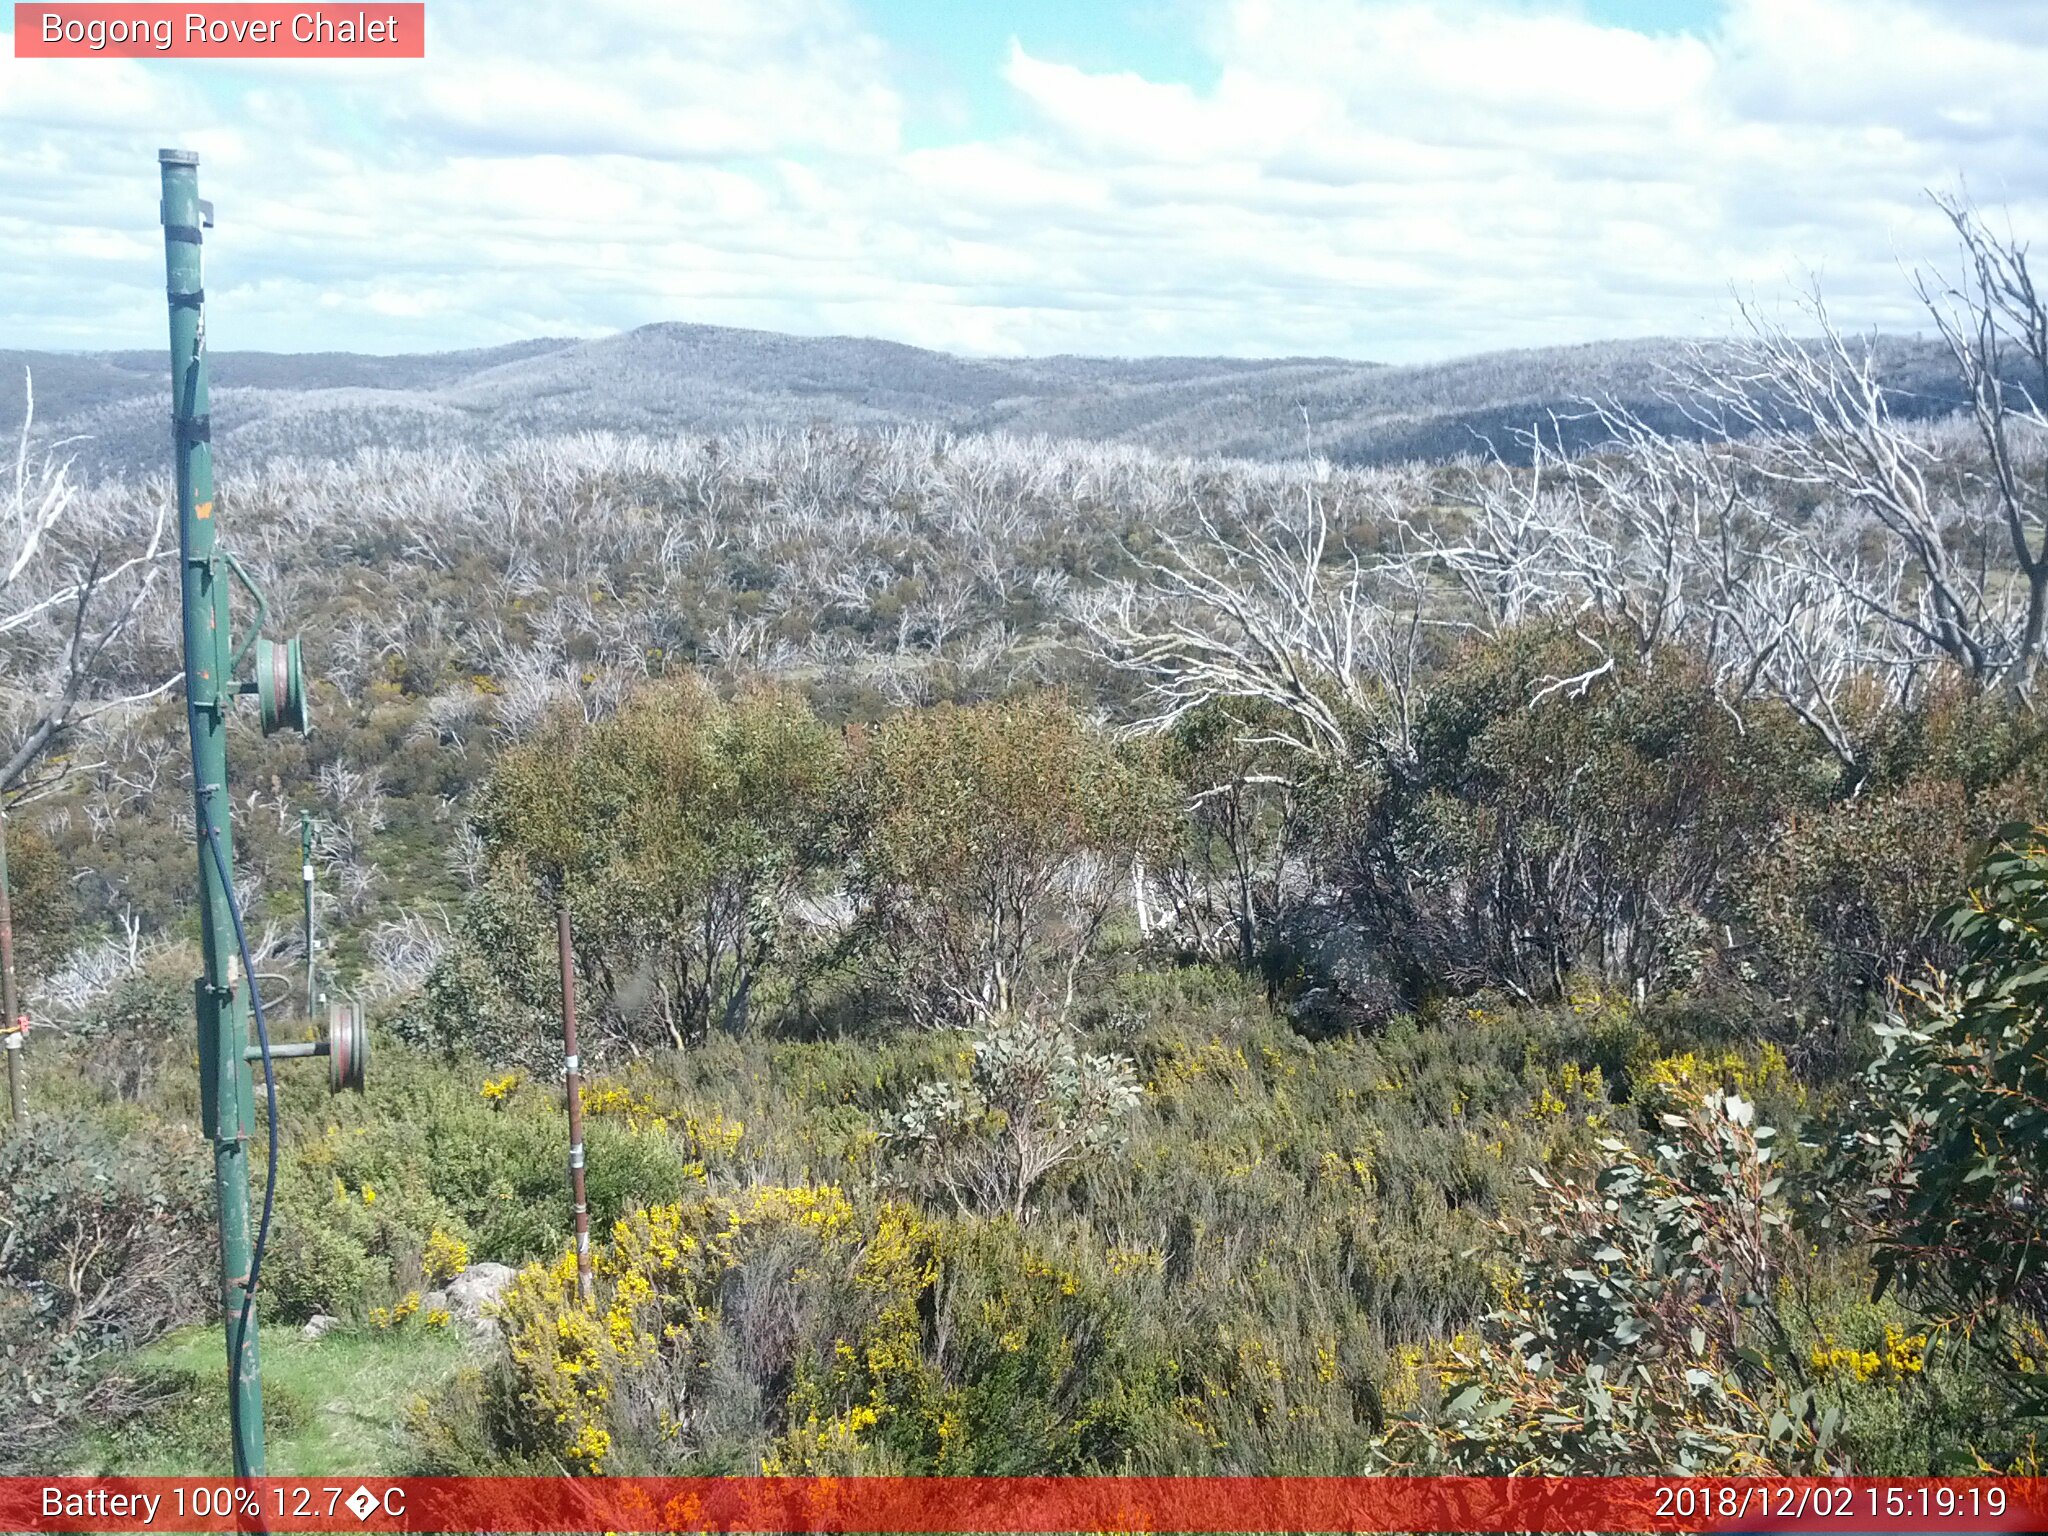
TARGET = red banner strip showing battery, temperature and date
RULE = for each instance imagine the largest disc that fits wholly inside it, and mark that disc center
(1023, 1504)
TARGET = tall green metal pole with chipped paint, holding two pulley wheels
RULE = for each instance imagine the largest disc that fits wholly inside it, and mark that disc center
(222, 1002)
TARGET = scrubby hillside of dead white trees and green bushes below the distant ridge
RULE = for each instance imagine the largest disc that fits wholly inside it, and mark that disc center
(1093, 959)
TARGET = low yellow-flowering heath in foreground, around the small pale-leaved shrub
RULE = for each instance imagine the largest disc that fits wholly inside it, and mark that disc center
(1152, 1314)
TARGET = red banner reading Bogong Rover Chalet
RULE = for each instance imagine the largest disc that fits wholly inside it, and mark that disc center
(220, 32)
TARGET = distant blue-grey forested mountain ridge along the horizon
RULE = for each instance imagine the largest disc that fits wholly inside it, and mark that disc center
(679, 378)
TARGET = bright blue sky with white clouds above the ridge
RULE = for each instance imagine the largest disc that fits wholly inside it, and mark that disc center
(1371, 179)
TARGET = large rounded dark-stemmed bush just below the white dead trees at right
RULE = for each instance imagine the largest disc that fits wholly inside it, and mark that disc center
(1547, 826)
